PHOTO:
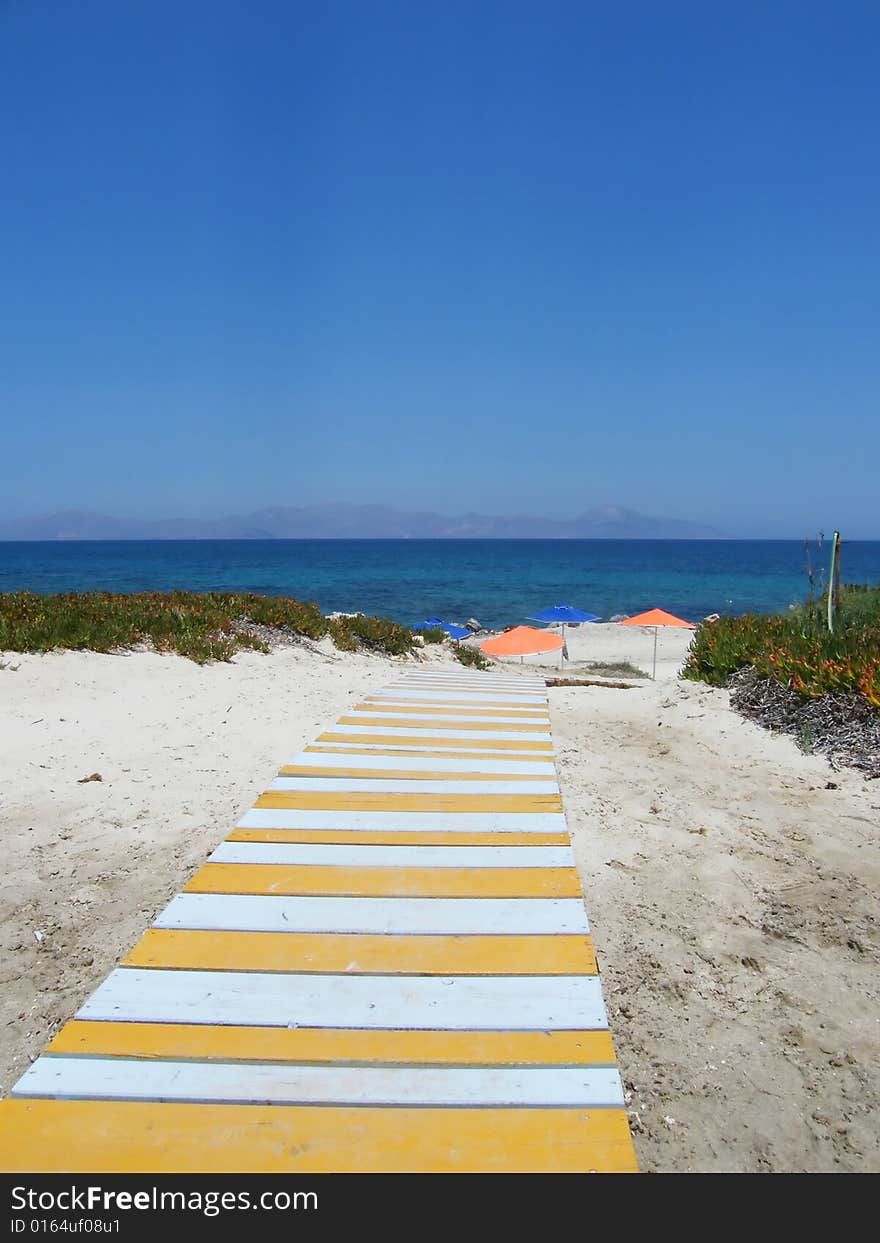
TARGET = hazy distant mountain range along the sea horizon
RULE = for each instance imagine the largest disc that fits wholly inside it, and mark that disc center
(357, 523)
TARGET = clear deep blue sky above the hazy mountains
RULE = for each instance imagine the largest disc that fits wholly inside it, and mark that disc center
(443, 254)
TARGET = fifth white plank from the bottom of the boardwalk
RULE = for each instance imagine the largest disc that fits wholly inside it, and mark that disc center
(447, 822)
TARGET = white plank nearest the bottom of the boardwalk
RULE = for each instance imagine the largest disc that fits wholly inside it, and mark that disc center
(273, 1085)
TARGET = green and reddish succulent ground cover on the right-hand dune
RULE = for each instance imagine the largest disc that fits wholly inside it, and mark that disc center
(797, 649)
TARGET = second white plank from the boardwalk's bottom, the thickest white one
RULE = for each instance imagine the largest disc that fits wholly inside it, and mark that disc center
(525, 1004)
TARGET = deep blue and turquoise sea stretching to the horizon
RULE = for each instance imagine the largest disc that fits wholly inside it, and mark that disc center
(499, 582)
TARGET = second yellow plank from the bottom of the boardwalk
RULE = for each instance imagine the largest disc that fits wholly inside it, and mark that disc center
(203, 1043)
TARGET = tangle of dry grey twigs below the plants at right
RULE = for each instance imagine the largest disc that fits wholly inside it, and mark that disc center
(843, 728)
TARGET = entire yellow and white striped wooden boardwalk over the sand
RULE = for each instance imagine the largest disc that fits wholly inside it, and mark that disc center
(386, 966)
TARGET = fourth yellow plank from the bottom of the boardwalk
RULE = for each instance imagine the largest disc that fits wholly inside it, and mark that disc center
(283, 879)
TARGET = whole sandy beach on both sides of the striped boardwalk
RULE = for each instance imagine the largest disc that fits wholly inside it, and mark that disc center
(730, 879)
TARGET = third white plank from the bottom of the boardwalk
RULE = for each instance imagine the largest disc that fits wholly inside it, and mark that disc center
(395, 917)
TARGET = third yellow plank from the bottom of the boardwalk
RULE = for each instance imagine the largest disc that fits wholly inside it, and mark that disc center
(362, 954)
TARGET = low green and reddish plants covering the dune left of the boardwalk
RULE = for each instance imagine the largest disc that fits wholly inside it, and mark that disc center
(211, 626)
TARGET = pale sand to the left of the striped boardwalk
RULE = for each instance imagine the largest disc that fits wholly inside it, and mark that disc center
(183, 751)
